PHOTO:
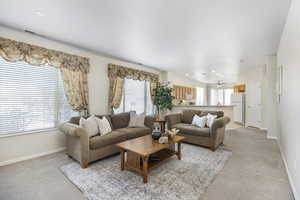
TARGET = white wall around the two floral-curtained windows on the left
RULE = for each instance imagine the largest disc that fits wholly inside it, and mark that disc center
(18, 147)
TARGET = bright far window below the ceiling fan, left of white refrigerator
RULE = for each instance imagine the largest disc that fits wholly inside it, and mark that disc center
(220, 96)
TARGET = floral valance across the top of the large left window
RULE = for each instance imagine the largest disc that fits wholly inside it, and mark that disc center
(14, 51)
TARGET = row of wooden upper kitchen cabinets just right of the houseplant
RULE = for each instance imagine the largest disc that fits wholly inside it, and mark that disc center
(184, 93)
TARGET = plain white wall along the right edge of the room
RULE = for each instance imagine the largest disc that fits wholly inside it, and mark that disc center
(289, 57)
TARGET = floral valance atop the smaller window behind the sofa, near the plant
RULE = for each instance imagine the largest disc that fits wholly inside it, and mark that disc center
(124, 72)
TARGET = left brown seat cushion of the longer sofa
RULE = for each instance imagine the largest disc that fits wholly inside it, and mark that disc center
(111, 138)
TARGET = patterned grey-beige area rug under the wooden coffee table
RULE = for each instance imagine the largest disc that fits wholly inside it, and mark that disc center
(171, 180)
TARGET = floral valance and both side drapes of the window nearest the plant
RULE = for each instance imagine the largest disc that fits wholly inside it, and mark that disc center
(117, 74)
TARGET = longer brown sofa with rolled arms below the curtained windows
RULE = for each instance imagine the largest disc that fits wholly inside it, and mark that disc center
(87, 149)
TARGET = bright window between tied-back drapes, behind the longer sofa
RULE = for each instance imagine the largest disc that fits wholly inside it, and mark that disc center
(136, 97)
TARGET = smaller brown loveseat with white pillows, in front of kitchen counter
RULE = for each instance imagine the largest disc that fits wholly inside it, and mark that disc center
(209, 137)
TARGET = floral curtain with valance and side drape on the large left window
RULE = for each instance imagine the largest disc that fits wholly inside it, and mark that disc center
(74, 68)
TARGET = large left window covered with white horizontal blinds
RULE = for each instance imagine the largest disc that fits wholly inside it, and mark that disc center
(31, 98)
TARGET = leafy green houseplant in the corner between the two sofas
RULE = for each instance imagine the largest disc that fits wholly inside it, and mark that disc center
(162, 98)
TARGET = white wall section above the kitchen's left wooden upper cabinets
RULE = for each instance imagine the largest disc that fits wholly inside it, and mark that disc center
(182, 80)
